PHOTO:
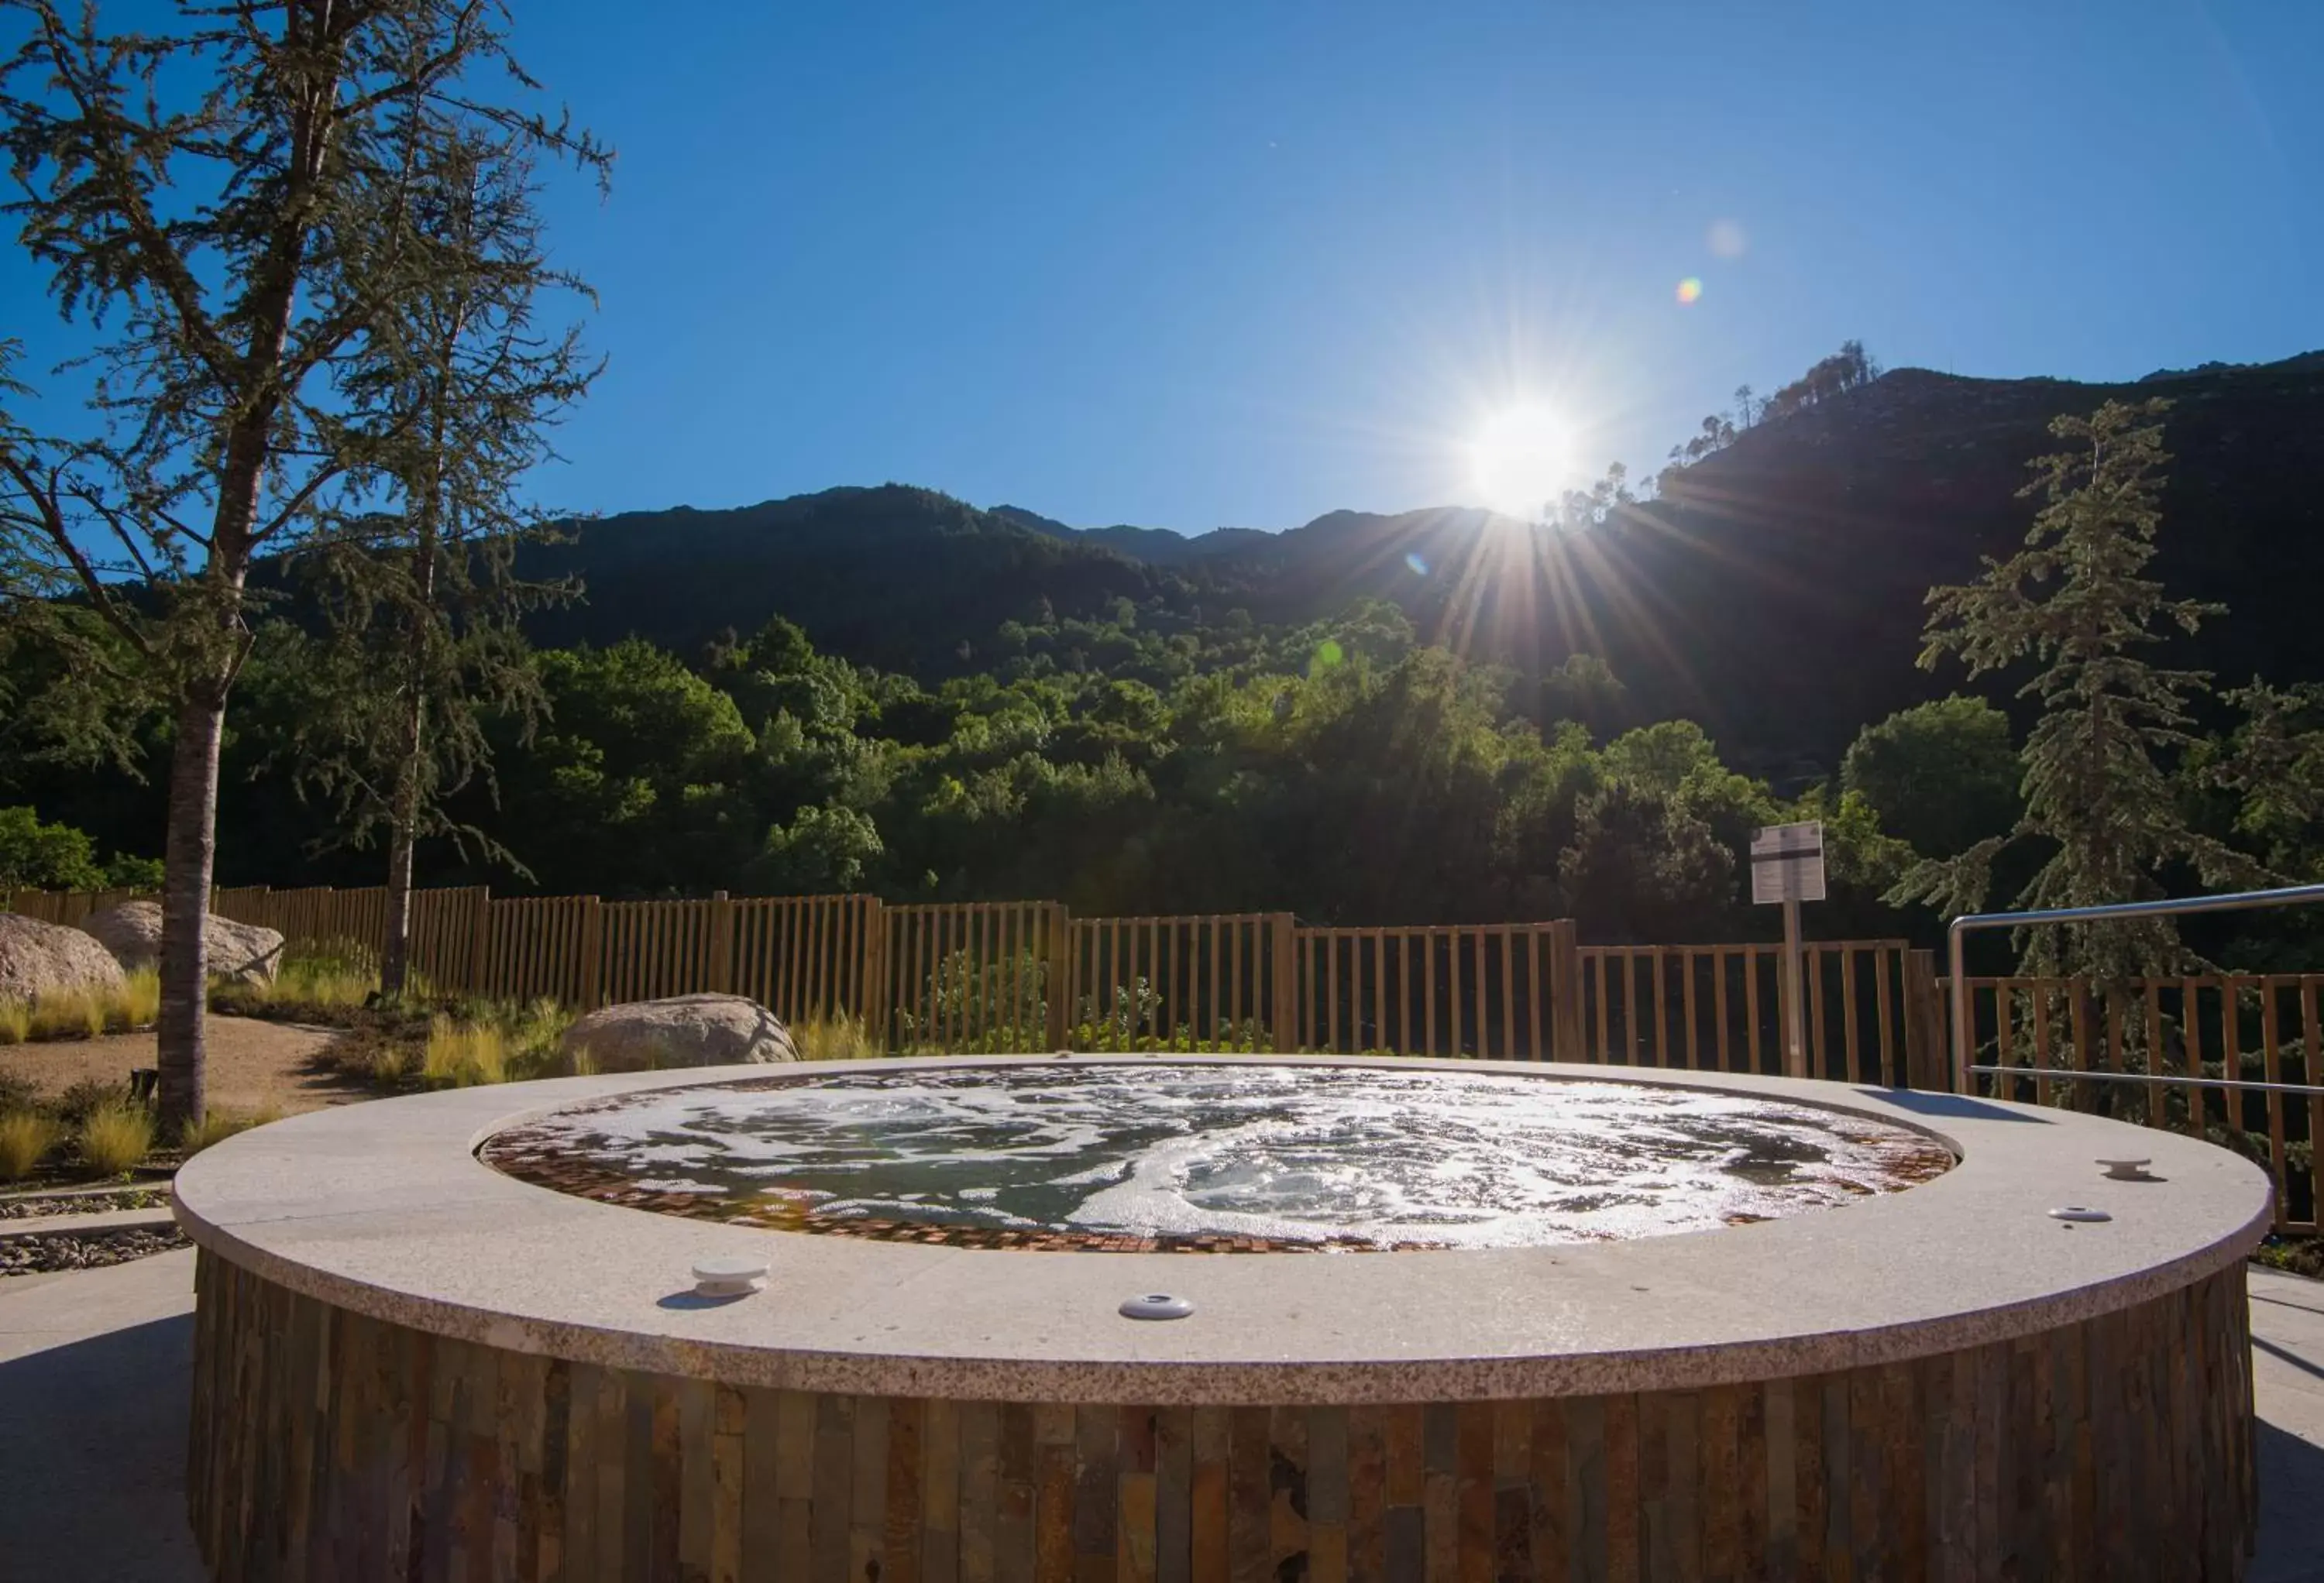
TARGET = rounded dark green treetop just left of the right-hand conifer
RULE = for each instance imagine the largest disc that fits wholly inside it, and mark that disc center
(1942, 778)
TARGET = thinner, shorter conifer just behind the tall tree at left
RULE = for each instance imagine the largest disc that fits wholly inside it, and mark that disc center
(424, 603)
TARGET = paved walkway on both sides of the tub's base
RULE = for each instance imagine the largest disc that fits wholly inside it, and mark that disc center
(94, 1435)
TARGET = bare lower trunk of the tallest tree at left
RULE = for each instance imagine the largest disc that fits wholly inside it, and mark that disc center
(185, 905)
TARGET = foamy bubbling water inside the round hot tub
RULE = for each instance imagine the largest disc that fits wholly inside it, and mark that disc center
(1240, 1152)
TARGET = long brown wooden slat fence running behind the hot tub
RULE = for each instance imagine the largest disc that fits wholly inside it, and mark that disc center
(1028, 977)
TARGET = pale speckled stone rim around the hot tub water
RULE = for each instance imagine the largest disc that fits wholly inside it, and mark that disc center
(382, 1210)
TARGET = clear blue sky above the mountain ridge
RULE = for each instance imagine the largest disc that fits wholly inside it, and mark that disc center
(1245, 264)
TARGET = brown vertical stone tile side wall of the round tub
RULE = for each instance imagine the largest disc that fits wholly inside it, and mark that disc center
(340, 1447)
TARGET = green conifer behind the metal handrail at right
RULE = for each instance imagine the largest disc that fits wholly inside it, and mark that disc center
(2097, 794)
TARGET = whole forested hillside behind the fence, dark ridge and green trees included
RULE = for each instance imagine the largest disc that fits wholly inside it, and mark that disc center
(1370, 719)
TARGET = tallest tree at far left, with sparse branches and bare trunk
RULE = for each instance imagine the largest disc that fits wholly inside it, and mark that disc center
(229, 203)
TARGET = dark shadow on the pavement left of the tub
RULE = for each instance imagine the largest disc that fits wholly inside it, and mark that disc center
(92, 1417)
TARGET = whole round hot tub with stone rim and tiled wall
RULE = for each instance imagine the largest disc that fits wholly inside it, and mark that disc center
(1407, 1319)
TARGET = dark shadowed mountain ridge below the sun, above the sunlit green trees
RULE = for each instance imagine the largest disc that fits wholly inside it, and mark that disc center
(1770, 589)
